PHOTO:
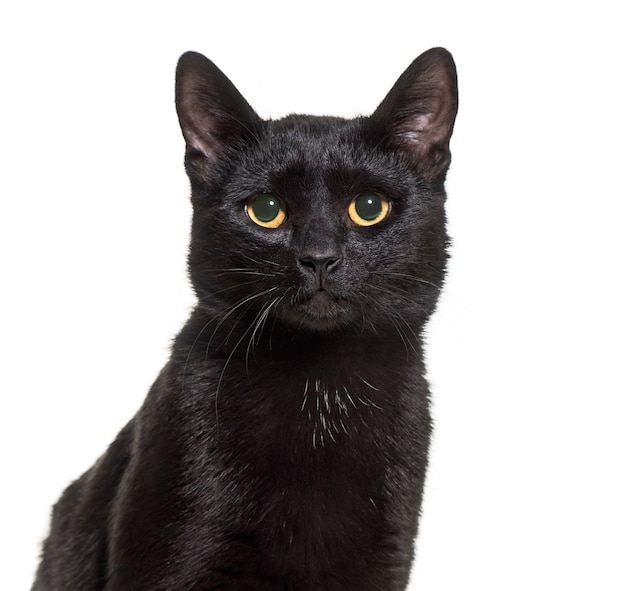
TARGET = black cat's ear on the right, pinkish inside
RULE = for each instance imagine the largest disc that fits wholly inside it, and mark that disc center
(418, 113)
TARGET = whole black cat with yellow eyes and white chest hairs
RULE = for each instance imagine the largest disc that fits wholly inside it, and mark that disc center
(284, 444)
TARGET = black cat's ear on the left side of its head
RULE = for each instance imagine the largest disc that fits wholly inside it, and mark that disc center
(212, 113)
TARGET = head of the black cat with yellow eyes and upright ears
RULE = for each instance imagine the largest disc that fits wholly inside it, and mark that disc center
(319, 222)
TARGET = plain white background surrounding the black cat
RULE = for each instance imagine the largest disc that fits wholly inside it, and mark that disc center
(527, 483)
